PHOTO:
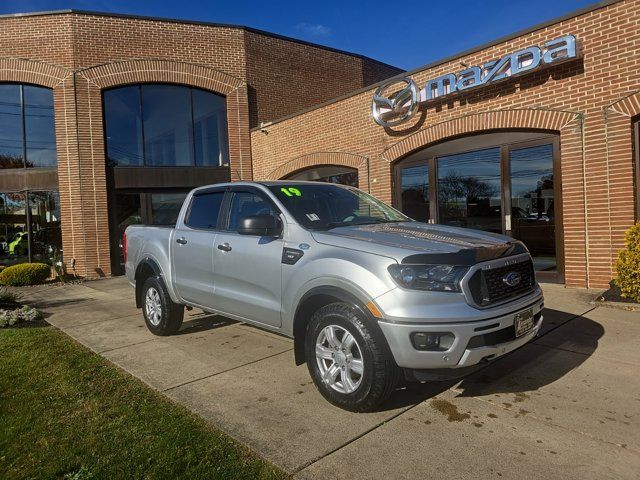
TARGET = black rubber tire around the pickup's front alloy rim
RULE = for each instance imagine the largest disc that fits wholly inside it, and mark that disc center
(380, 374)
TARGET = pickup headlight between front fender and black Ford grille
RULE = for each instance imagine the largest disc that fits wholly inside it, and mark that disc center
(435, 278)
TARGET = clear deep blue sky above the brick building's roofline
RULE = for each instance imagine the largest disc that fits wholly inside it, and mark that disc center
(407, 35)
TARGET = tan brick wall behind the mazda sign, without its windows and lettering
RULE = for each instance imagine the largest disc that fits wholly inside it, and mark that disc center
(571, 99)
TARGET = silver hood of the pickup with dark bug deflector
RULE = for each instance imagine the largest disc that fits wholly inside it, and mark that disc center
(422, 243)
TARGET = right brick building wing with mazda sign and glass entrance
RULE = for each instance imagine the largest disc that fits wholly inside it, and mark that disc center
(532, 135)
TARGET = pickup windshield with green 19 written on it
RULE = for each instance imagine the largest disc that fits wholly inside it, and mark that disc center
(324, 206)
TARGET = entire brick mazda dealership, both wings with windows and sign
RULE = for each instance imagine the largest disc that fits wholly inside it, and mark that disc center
(107, 120)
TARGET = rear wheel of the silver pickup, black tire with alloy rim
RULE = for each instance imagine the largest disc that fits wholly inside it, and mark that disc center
(168, 319)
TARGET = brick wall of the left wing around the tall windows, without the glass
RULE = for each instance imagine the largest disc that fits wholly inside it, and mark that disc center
(78, 55)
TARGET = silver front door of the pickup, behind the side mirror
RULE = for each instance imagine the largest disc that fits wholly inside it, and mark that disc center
(248, 268)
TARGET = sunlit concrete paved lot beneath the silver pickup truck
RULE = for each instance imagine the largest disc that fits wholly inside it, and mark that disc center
(565, 406)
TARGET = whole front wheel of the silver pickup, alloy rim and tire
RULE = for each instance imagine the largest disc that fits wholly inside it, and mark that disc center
(348, 358)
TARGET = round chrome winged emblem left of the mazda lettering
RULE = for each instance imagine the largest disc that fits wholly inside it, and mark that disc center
(400, 105)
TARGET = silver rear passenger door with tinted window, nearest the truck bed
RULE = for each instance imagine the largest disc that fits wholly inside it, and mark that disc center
(193, 246)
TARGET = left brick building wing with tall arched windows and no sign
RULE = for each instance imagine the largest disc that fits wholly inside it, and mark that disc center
(108, 120)
